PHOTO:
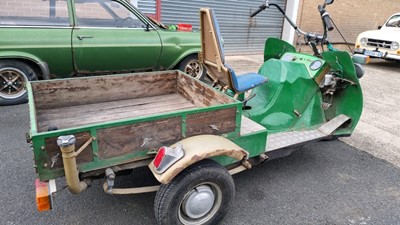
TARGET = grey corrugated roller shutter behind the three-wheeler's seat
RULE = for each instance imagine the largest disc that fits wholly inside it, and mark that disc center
(240, 33)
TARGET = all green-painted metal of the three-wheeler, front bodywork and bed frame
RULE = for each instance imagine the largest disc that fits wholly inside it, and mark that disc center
(292, 100)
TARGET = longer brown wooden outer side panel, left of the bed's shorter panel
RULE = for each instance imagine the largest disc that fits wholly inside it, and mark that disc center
(122, 140)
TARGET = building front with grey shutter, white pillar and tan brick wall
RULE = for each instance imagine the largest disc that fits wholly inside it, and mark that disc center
(244, 35)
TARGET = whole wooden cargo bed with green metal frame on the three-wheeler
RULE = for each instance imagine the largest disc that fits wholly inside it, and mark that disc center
(125, 115)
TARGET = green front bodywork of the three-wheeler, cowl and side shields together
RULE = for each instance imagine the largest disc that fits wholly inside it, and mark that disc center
(292, 100)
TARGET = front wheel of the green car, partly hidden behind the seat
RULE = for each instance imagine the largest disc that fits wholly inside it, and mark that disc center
(193, 67)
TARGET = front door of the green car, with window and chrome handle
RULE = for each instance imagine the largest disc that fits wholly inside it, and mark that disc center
(108, 37)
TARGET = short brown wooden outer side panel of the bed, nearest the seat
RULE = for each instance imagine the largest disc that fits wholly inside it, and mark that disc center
(214, 122)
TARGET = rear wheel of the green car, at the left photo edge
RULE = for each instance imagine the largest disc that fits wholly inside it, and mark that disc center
(14, 76)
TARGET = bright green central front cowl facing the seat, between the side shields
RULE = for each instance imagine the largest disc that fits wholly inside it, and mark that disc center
(290, 89)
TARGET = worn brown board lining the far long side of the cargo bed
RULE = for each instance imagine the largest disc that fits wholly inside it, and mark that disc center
(87, 90)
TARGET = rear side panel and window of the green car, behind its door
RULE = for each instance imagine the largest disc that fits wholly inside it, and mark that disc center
(38, 31)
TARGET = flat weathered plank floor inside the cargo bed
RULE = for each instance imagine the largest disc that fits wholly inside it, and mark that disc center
(75, 116)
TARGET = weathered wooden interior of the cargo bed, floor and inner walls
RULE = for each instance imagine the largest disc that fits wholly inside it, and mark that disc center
(72, 103)
